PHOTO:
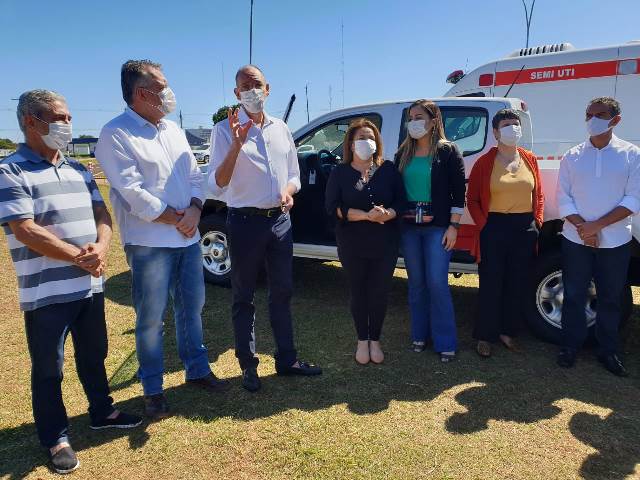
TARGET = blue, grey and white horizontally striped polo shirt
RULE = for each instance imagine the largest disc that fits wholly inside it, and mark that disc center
(59, 198)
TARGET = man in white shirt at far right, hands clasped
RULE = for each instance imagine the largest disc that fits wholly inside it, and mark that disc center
(598, 192)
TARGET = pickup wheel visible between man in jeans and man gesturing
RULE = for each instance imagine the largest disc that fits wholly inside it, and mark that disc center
(214, 244)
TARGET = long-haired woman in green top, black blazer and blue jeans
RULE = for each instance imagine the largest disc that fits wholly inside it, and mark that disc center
(433, 173)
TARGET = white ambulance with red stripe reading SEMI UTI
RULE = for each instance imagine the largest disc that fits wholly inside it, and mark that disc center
(556, 82)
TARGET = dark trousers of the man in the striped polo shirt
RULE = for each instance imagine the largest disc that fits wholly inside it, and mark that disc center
(47, 329)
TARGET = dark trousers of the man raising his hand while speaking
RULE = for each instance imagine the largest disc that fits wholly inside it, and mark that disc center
(255, 242)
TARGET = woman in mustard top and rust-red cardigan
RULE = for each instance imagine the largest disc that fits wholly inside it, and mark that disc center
(505, 201)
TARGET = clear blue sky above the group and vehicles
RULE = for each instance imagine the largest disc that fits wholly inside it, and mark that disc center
(393, 49)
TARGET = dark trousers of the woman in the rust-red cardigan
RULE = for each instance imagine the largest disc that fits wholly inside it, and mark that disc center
(507, 249)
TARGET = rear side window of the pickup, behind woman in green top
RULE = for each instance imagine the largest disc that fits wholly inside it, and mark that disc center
(466, 126)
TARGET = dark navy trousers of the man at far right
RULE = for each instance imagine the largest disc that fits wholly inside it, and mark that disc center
(608, 268)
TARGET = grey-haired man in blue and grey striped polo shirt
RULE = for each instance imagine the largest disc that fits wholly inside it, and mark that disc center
(58, 230)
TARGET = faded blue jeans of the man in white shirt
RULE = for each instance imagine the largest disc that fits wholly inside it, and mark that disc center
(157, 274)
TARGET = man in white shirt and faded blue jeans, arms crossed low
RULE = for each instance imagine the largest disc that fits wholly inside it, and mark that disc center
(156, 192)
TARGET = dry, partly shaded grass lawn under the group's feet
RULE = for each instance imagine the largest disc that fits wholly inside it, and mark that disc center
(509, 417)
